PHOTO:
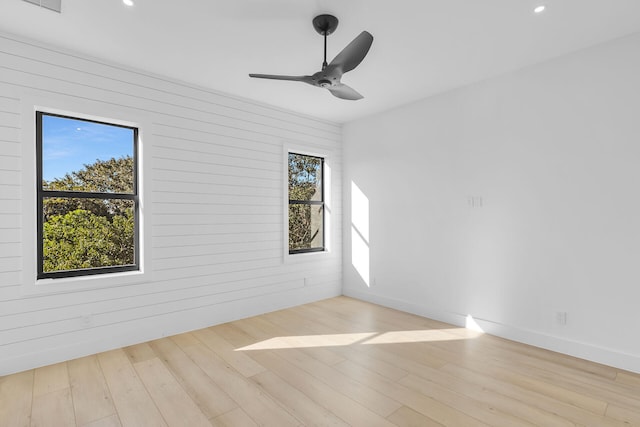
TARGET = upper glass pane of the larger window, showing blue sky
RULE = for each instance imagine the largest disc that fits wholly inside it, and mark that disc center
(78, 155)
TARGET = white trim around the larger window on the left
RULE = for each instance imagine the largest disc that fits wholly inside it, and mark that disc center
(90, 110)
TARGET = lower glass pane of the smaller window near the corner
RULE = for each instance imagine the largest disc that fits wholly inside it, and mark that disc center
(305, 227)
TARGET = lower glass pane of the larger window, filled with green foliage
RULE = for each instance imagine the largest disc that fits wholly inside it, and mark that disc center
(87, 233)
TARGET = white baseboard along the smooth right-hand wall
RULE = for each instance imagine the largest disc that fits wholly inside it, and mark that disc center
(581, 350)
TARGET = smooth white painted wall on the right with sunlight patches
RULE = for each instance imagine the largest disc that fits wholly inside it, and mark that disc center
(554, 152)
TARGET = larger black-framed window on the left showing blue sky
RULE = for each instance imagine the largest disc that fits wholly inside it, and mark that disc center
(87, 197)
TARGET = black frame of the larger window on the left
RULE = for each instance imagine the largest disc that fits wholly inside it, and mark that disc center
(41, 194)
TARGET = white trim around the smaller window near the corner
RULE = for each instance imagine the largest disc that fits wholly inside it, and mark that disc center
(328, 211)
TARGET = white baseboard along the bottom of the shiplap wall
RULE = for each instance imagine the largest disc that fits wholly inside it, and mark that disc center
(111, 337)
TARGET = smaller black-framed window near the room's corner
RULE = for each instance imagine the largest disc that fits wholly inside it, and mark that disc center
(306, 203)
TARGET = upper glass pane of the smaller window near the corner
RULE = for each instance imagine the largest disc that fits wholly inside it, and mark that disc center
(305, 177)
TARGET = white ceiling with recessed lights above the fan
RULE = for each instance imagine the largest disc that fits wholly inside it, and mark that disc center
(420, 48)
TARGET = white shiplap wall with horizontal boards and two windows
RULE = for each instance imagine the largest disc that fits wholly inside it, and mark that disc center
(217, 174)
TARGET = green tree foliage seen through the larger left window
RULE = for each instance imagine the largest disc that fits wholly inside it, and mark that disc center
(87, 233)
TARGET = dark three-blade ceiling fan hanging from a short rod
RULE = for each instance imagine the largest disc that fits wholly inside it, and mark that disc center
(331, 73)
